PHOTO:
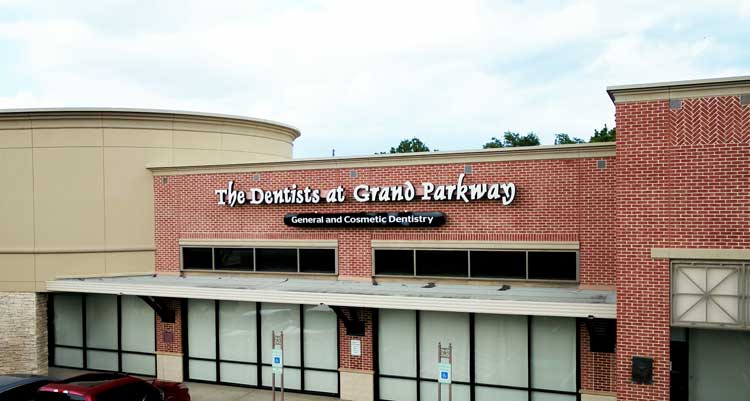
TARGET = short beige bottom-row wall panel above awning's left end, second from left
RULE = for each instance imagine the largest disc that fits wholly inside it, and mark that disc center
(51, 265)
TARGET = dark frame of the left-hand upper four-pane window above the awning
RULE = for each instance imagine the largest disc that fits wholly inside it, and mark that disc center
(213, 268)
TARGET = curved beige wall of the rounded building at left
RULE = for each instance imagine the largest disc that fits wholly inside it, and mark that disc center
(76, 197)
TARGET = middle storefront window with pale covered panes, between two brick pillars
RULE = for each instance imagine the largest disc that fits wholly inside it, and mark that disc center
(245, 327)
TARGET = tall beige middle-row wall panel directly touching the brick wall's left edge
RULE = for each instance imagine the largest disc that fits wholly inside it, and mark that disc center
(128, 196)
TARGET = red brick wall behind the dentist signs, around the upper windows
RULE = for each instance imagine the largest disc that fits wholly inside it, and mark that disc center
(556, 200)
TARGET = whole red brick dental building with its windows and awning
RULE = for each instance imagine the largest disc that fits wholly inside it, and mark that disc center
(618, 271)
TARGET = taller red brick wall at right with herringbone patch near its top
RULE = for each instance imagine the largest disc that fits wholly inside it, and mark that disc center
(682, 182)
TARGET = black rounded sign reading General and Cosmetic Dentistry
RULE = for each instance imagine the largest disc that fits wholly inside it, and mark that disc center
(365, 219)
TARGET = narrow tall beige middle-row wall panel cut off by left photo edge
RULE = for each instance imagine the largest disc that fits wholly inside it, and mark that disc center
(16, 199)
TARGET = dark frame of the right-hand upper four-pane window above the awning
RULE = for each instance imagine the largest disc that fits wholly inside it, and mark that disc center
(468, 256)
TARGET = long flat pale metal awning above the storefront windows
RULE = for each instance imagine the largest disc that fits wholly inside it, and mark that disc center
(541, 301)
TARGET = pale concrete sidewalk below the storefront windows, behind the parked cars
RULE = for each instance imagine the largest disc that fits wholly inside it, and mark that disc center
(213, 392)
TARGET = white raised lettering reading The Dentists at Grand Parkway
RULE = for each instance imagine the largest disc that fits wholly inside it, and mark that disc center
(406, 192)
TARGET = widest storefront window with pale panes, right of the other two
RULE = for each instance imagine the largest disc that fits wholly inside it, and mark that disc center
(514, 357)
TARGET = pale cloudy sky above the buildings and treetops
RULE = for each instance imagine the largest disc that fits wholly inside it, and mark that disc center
(361, 76)
